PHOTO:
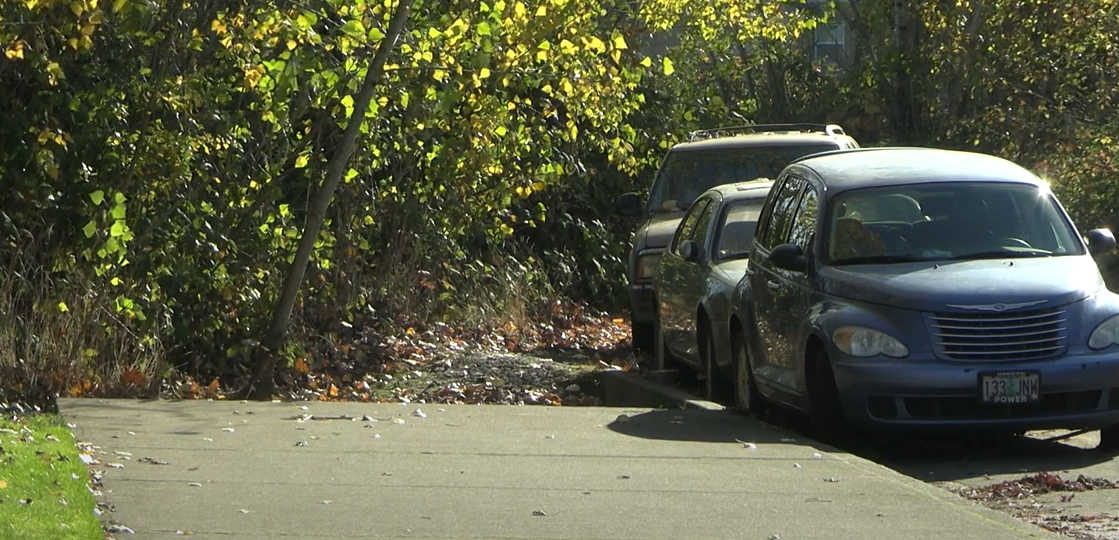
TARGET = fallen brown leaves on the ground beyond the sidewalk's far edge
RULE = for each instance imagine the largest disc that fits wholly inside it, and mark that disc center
(547, 363)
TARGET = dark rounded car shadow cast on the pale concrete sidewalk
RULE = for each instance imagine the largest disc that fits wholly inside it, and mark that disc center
(702, 427)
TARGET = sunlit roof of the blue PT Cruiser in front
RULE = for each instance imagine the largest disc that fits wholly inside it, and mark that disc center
(895, 166)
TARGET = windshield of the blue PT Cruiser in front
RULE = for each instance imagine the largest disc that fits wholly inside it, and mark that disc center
(948, 222)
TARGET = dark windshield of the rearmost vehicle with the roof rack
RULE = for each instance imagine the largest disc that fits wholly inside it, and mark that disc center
(689, 174)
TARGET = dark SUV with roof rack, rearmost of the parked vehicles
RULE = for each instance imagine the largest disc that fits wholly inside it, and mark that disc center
(710, 158)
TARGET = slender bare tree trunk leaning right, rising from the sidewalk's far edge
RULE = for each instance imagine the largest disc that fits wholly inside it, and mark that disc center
(264, 383)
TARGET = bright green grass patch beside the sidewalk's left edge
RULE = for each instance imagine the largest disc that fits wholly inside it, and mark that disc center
(40, 462)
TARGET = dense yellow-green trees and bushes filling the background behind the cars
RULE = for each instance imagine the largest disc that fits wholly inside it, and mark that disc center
(159, 157)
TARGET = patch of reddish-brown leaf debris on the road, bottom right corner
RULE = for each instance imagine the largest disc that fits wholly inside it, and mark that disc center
(1043, 499)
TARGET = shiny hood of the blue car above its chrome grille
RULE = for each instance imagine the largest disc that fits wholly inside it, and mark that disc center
(941, 286)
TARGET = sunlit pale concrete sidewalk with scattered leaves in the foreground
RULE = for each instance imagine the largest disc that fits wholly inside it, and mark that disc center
(238, 470)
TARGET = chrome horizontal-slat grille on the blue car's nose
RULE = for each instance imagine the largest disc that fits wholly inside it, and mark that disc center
(1000, 337)
